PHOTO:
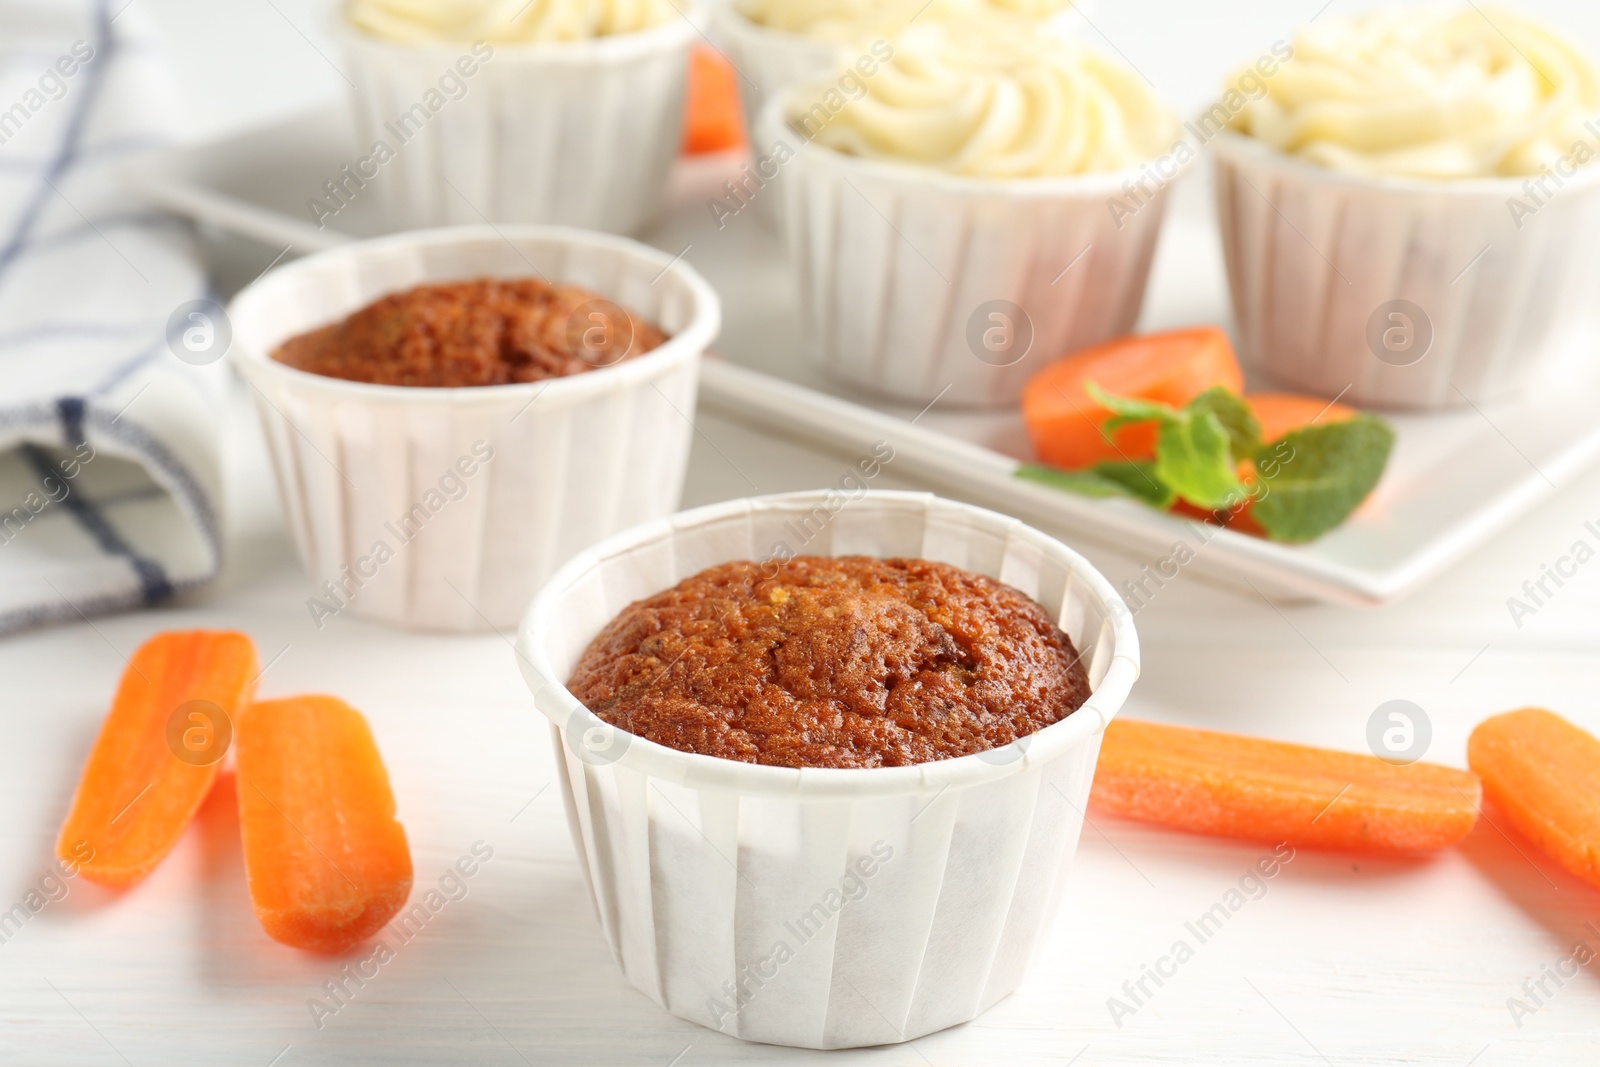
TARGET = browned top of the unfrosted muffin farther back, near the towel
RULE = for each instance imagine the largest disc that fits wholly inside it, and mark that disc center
(490, 332)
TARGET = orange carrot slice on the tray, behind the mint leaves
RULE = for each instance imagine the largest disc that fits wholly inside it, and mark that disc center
(1174, 369)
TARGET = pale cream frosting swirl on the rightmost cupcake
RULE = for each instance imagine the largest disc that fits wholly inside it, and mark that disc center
(1433, 94)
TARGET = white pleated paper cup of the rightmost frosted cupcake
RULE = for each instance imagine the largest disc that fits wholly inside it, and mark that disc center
(1406, 294)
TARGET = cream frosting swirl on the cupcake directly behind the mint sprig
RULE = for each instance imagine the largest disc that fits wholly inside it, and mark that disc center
(988, 98)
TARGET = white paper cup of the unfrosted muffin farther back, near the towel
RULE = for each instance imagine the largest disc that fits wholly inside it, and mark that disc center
(575, 458)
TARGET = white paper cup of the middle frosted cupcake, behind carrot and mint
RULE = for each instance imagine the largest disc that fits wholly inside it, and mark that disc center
(919, 286)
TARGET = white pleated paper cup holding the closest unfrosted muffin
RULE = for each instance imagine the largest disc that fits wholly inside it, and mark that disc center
(702, 868)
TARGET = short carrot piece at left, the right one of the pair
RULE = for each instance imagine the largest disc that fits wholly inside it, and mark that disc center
(324, 855)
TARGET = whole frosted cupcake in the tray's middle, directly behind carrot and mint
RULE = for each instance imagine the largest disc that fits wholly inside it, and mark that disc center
(967, 202)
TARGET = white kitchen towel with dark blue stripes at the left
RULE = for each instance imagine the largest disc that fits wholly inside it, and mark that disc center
(110, 455)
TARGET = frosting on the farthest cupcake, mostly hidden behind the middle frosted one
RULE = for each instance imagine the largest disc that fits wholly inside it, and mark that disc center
(844, 22)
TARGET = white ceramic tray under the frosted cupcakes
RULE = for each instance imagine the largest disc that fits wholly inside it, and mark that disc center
(1454, 482)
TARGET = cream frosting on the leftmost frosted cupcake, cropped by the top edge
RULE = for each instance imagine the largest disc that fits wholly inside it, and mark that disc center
(503, 22)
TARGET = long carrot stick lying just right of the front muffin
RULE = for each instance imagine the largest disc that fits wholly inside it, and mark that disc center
(1234, 786)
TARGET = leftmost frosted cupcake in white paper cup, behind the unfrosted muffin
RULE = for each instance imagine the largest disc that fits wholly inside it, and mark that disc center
(519, 111)
